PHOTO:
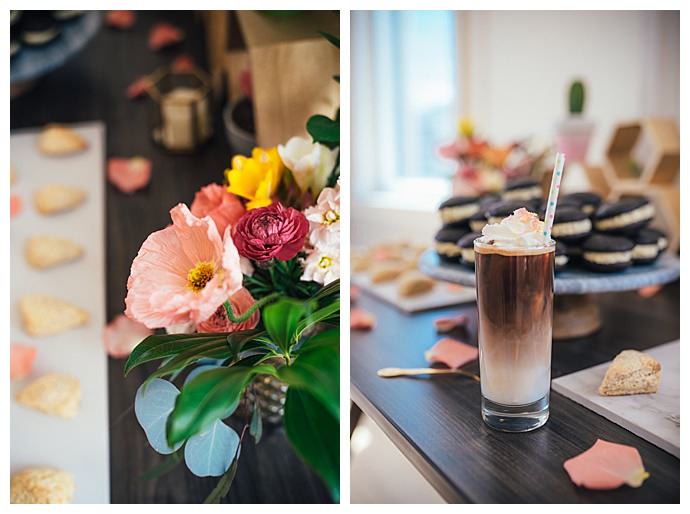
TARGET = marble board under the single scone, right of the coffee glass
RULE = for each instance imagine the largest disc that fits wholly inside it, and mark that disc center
(654, 417)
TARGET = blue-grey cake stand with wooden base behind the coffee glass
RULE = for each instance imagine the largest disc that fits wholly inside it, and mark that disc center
(575, 314)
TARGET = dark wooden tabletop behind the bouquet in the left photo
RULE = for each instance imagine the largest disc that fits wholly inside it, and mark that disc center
(92, 87)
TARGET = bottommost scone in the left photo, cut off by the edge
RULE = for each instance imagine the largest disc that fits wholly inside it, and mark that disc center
(41, 485)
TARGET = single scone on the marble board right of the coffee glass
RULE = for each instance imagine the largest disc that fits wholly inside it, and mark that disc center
(631, 372)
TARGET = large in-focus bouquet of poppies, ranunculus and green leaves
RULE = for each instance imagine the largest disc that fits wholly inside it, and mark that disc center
(246, 284)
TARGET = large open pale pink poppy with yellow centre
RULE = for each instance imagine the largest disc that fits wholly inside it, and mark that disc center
(182, 273)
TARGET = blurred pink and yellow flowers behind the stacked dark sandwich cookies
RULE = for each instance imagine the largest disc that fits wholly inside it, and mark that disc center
(484, 167)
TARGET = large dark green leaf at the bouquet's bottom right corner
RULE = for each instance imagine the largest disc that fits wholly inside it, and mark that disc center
(314, 433)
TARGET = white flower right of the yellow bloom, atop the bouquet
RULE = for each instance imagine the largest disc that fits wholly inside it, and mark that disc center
(310, 163)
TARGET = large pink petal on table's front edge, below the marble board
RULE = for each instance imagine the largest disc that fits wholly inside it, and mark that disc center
(607, 466)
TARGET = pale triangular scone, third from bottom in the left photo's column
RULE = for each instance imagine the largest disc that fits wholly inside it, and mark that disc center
(44, 315)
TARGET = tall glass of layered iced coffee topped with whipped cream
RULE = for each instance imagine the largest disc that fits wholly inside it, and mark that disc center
(514, 265)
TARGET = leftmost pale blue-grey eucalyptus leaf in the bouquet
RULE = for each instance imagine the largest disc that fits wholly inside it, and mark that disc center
(153, 404)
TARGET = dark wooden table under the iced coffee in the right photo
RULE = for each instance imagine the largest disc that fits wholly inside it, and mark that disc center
(437, 424)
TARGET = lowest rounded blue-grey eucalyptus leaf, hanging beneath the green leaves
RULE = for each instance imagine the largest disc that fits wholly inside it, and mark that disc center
(210, 453)
